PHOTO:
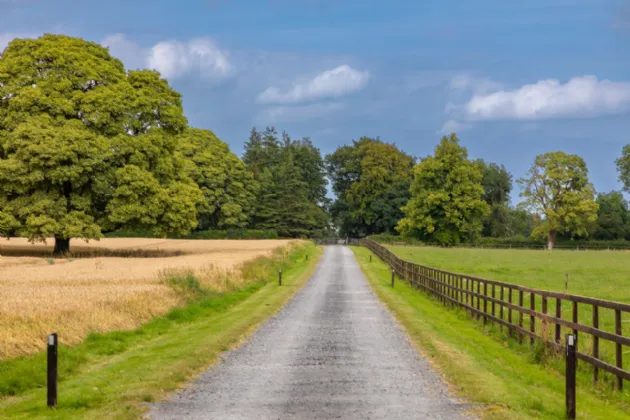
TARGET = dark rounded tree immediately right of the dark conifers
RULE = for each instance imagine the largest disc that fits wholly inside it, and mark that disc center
(371, 179)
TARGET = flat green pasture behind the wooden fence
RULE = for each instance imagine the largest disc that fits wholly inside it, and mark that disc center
(599, 274)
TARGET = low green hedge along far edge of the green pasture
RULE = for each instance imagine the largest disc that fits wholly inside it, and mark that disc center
(515, 242)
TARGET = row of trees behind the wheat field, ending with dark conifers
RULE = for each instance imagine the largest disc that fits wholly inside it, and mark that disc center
(88, 147)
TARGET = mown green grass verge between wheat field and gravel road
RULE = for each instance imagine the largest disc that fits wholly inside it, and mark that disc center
(111, 375)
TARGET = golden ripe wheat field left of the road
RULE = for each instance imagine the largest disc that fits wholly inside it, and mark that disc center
(74, 296)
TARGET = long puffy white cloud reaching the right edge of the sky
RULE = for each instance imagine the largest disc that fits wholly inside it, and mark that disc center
(579, 97)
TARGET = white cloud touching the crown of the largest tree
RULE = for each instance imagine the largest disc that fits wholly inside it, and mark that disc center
(174, 59)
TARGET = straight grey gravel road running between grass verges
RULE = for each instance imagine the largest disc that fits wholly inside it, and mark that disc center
(334, 352)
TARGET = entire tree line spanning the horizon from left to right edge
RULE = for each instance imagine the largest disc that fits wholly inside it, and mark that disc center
(88, 147)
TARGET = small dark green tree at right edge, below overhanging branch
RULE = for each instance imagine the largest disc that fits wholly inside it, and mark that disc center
(613, 217)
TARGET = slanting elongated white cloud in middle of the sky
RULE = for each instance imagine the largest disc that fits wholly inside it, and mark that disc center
(333, 83)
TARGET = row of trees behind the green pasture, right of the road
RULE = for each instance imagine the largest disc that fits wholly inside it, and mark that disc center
(448, 198)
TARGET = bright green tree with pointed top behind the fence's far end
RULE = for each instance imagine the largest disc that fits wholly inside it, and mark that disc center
(446, 204)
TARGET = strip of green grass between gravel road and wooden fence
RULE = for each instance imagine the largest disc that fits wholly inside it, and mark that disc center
(506, 379)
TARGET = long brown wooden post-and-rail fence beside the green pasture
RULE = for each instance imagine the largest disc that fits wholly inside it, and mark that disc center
(484, 298)
